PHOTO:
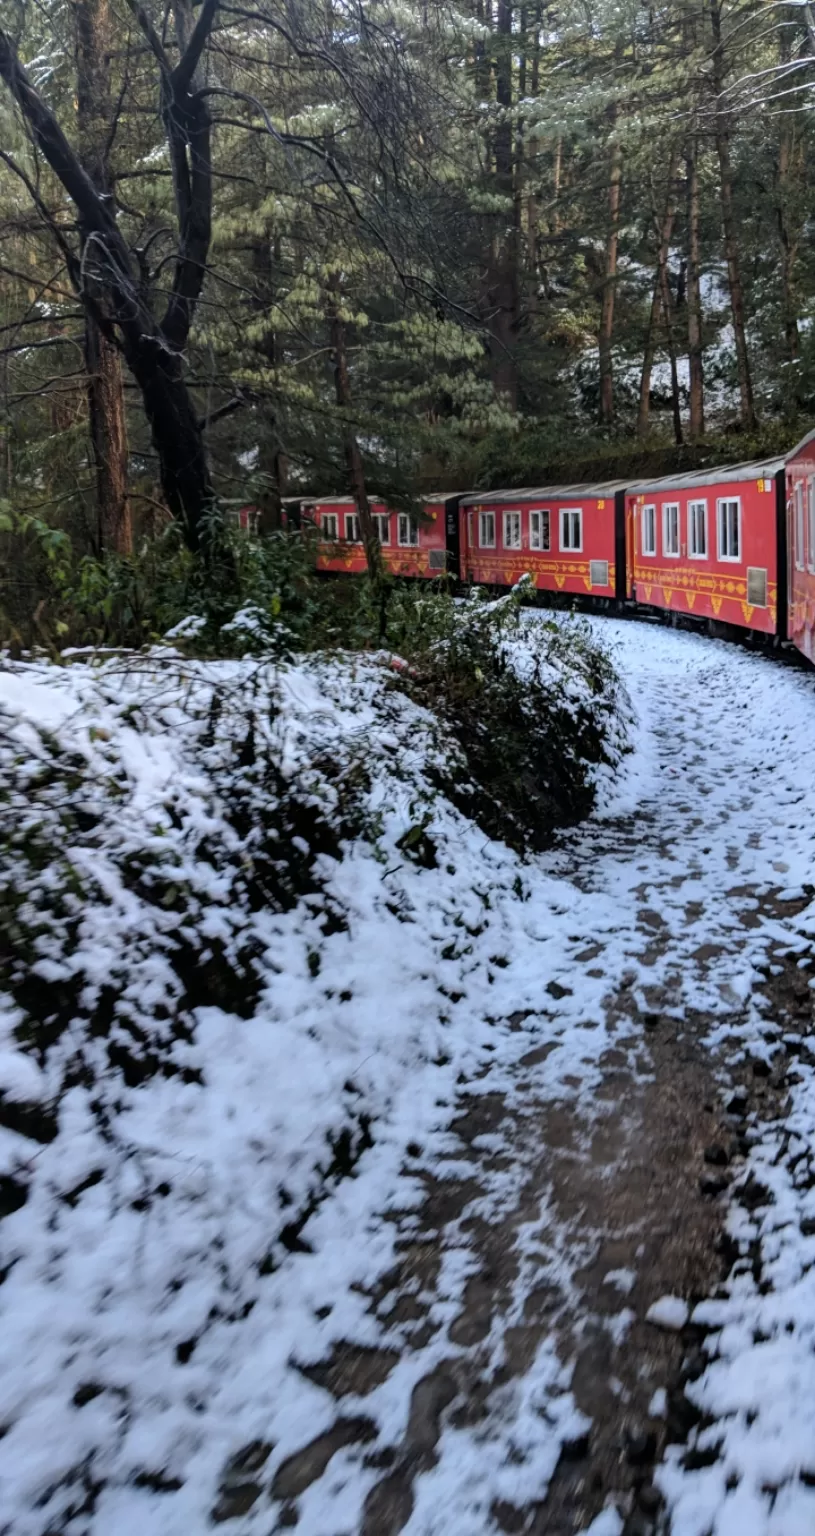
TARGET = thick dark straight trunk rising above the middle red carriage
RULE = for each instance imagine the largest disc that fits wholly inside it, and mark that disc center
(504, 286)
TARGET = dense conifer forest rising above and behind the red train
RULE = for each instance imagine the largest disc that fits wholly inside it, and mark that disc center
(305, 247)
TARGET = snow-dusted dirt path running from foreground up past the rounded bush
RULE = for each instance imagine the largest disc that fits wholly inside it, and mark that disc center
(524, 1273)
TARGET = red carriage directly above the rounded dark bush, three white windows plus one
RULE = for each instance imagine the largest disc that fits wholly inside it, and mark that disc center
(569, 538)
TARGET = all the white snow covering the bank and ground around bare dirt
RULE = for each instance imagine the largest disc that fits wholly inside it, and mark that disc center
(159, 1316)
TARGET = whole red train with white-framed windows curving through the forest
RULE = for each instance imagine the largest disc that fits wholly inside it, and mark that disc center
(731, 546)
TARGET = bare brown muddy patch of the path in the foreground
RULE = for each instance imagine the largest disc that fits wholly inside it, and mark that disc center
(625, 1223)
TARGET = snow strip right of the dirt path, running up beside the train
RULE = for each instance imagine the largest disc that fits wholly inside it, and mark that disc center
(736, 807)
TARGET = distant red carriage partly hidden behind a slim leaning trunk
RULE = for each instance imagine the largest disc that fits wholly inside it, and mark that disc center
(417, 546)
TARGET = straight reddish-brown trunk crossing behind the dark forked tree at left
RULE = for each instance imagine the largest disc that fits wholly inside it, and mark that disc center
(105, 388)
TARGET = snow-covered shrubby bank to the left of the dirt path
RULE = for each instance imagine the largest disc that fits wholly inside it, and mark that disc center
(151, 1293)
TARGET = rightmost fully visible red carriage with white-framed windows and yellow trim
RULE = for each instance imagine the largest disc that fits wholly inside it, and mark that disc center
(711, 545)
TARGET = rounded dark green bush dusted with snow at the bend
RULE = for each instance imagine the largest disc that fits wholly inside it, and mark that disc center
(535, 706)
